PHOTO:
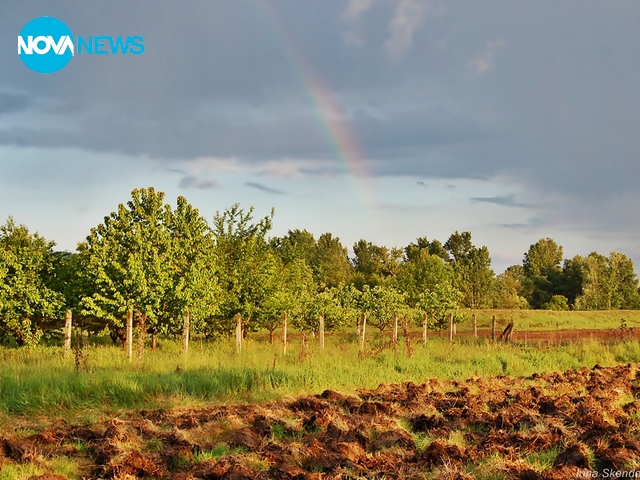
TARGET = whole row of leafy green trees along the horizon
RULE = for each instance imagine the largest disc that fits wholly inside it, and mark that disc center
(162, 263)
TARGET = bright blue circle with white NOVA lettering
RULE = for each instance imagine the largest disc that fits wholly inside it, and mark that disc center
(45, 45)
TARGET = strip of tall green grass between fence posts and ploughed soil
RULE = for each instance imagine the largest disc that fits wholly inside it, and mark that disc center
(43, 381)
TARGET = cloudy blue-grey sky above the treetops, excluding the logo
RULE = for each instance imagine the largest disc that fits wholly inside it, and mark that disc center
(386, 120)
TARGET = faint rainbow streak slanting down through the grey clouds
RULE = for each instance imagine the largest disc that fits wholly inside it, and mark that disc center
(330, 121)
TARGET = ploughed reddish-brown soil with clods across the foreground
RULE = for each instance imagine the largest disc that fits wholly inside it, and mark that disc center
(441, 429)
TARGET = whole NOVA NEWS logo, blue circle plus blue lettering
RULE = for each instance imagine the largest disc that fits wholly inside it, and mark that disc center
(46, 45)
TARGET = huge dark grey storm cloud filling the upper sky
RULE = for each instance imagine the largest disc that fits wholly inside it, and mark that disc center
(543, 93)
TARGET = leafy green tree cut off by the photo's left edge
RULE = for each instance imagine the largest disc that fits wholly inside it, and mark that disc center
(26, 260)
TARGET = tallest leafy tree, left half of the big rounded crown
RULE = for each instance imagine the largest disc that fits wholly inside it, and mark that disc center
(130, 258)
